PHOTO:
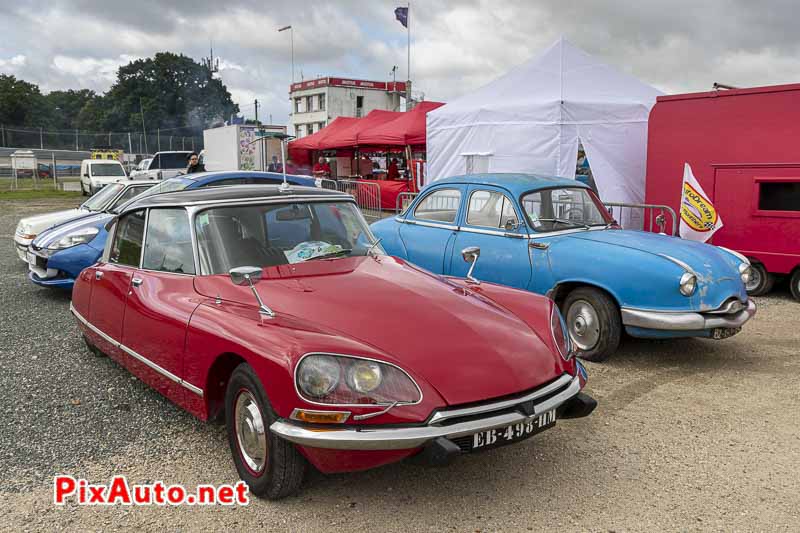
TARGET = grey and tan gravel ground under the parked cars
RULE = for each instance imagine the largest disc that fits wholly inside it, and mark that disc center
(689, 435)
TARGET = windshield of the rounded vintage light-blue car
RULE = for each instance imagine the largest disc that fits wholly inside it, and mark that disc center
(564, 208)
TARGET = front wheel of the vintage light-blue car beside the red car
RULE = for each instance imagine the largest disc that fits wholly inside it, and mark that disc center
(593, 322)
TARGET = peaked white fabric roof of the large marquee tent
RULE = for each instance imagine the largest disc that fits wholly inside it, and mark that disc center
(563, 85)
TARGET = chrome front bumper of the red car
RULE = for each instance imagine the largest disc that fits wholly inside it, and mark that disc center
(408, 437)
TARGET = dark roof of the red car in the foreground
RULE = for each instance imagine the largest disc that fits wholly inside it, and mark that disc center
(232, 193)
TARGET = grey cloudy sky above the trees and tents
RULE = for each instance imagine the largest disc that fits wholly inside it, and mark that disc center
(458, 45)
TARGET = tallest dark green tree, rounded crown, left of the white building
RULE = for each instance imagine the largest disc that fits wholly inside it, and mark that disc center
(173, 90)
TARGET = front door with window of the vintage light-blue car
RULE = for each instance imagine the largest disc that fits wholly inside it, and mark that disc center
(492, 222)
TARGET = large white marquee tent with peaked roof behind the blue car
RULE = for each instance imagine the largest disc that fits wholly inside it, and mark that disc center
(531, 120)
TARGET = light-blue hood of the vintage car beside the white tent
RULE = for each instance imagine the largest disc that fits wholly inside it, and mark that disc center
(716, 269)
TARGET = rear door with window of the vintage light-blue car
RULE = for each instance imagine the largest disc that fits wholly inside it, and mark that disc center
(428, 231)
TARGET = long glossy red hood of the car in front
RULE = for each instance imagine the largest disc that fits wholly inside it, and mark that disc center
(464, 345)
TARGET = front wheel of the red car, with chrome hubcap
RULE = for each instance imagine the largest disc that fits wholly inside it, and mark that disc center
(270, 466)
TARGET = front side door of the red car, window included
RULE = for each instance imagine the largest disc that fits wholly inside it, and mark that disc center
(160, 302)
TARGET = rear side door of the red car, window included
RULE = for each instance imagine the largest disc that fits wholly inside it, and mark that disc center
(112, 281)
